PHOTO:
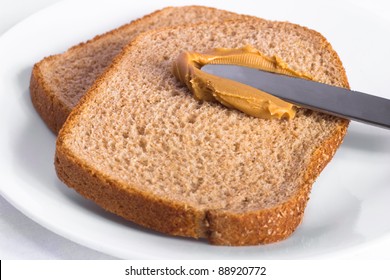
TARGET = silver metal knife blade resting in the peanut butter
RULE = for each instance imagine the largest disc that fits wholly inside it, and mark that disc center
(337, 101)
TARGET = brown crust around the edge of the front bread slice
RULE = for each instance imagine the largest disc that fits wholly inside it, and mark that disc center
(219, 227)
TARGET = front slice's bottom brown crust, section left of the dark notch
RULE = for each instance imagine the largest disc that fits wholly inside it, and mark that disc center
(140, 207)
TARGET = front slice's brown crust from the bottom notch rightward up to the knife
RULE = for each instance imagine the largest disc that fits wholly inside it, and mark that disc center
(275, 224)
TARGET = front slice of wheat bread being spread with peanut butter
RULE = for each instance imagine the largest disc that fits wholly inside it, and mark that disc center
(141, 146)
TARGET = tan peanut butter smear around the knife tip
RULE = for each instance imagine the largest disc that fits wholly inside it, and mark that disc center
(232, 94)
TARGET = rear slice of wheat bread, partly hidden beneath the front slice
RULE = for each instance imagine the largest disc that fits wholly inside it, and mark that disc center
(59, 81)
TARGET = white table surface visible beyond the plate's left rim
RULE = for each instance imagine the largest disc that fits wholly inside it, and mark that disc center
(21, 237)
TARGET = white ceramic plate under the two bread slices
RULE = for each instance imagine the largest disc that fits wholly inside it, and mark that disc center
(350, 201)
